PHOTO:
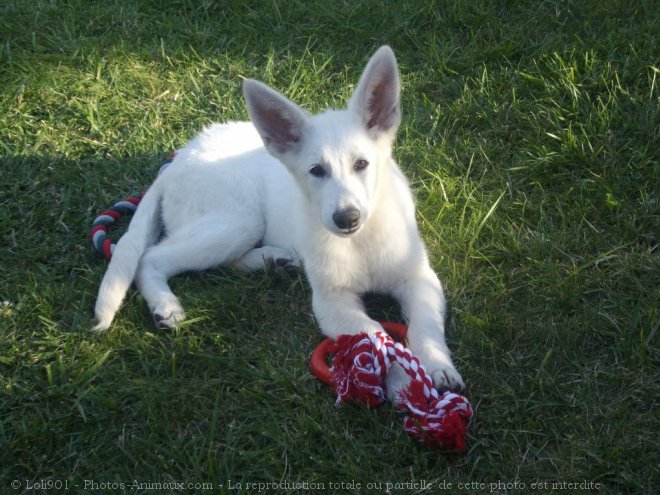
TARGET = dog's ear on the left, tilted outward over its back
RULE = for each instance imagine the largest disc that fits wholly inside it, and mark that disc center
(279, 121)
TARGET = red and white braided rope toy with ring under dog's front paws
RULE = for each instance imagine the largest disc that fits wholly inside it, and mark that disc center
(359, 368)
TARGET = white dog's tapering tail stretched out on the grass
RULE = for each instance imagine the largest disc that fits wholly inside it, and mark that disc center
(143, 231)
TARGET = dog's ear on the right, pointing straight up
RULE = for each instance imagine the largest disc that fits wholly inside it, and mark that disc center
(377, 97)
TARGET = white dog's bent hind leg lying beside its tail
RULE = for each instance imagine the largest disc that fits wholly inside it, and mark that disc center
(203, 244)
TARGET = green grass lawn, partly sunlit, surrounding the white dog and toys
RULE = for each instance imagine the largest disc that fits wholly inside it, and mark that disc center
(531, 137)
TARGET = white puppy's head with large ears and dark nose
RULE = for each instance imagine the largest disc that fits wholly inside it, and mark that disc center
(336, 157)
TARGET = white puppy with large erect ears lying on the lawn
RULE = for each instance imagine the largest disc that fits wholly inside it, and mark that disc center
(289, 188)
